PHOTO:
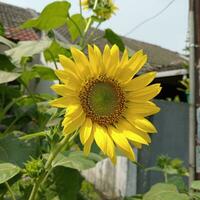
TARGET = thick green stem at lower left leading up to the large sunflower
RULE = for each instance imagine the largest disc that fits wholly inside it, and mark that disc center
(48, 167)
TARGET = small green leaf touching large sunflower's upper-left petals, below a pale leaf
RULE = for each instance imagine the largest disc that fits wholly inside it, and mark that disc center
(45, 73)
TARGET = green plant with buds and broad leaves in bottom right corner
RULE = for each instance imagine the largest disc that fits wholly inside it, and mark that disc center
(173, 186)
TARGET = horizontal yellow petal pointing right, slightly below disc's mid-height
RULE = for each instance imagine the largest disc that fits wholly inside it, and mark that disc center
(144, 108)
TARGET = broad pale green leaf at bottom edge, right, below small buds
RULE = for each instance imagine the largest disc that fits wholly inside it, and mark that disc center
(165, 192)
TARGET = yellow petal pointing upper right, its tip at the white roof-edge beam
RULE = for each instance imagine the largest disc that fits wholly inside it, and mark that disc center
(140, 82)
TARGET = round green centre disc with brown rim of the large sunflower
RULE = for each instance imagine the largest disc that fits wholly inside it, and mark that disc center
(102, 100)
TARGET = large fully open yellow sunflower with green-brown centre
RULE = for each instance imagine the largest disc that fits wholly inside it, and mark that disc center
(103, 102)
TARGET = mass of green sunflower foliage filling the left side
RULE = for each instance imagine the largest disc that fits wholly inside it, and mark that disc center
(30, 130)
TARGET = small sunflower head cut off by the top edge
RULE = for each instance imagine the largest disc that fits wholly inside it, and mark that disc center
(104, 8)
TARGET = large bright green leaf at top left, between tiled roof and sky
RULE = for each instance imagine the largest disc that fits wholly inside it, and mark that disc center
(53, 16)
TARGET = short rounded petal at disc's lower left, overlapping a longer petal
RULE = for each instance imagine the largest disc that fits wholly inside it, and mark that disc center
(85, 130)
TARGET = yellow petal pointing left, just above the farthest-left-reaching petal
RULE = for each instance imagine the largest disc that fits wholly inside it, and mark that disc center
(64, 90)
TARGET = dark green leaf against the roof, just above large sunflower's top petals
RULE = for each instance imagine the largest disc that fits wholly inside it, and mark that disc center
(113, 38)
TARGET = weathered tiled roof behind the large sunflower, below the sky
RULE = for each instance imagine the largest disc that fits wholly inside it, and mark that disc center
(160, 59)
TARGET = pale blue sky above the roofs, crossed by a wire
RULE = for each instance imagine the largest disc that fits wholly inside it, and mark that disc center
(168, 30)
